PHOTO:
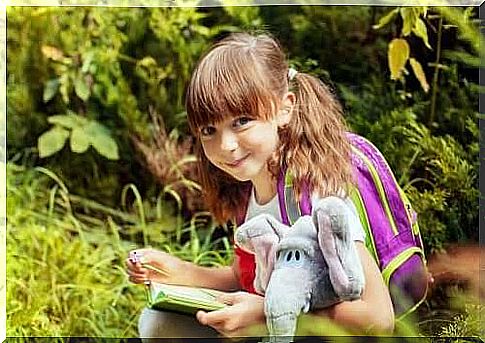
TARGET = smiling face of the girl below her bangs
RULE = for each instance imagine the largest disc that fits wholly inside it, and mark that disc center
(240, 146)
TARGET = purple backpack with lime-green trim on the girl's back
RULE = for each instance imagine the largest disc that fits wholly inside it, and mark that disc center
(390, 223)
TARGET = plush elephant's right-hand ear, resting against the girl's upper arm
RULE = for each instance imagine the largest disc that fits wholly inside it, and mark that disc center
(329, 215)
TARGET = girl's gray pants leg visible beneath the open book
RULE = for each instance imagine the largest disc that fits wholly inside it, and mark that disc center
(153, 323)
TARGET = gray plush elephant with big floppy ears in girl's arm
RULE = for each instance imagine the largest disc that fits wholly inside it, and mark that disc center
(311, 265)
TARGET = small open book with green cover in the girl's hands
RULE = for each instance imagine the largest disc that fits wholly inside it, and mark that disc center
(182, 299)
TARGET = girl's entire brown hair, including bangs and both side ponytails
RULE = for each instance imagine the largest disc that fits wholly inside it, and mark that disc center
(246, 74)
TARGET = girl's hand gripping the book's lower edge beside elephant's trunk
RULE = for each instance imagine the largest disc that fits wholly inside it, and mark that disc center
(244, 316)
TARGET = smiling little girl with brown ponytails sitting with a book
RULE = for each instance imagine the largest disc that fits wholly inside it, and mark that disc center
(252, 116)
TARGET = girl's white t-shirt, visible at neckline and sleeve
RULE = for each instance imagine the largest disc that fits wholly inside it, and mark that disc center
(273, 208)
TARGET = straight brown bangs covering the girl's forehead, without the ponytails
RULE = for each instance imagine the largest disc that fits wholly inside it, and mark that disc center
(228, 83)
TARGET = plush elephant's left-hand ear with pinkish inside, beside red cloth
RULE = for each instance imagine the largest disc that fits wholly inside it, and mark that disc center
(260, 235)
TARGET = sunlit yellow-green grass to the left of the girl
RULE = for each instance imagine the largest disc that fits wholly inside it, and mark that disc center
(66, 272)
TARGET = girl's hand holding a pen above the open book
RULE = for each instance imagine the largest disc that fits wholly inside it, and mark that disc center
(158, 266)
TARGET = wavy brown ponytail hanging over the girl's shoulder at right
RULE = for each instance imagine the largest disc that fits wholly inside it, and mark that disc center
(315, 147)
